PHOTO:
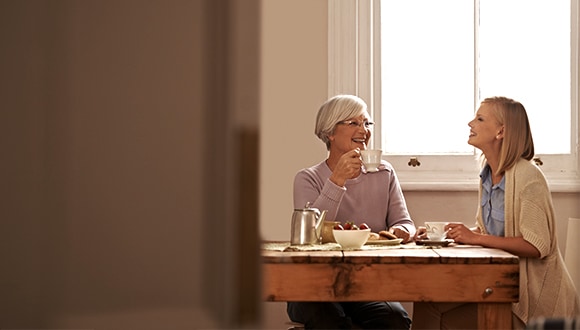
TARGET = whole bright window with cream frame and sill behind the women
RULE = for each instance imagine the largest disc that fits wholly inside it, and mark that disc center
(423, 75)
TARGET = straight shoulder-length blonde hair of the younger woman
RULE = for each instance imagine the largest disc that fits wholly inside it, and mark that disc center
(517, 141)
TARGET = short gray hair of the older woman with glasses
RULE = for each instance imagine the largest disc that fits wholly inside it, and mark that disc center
(335, 110)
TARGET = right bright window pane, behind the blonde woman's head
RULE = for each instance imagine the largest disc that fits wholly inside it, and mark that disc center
(529, 61)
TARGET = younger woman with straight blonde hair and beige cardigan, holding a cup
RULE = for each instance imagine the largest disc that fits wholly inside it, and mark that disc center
(515, 214)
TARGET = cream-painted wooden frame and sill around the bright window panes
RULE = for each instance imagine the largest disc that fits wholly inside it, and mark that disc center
(353, 57)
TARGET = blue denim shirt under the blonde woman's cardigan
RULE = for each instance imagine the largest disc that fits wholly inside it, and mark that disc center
(492, 203)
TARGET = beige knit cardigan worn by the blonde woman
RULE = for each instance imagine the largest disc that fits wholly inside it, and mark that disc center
(546, 289)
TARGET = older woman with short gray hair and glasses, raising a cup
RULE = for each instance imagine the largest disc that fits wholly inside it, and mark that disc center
(342, 185)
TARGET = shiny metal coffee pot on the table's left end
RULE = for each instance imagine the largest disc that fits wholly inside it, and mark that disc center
(307, 226)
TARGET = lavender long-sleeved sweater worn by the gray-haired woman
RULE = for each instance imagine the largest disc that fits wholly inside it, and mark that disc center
(375, 197)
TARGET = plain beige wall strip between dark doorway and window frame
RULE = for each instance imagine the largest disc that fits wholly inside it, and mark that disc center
(294, 84)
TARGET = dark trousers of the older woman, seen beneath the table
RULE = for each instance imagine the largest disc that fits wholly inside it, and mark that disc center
(346, 315)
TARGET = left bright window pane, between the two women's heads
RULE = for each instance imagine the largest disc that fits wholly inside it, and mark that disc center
(427, 75)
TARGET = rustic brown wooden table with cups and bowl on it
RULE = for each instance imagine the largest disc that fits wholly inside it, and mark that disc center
(488, 277)
